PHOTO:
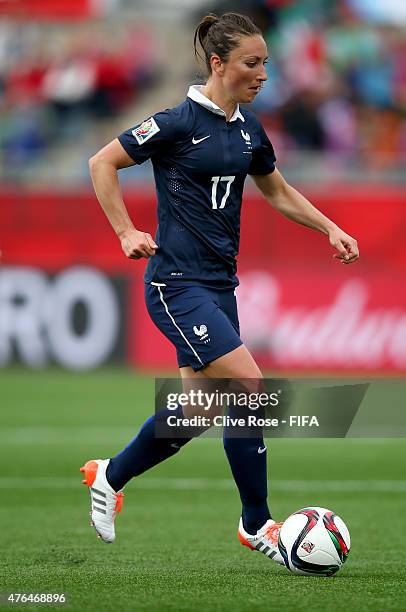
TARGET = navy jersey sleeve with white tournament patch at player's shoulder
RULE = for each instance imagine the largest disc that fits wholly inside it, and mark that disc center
(149, 138)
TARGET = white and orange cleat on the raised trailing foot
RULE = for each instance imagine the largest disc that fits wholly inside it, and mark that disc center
(105, 502)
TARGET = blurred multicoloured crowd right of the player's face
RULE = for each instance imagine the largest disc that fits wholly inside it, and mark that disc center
(337, 84)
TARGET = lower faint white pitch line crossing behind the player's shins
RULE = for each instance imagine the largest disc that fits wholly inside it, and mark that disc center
(204, 484)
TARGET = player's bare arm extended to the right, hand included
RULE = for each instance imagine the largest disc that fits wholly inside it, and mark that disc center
(293, 205)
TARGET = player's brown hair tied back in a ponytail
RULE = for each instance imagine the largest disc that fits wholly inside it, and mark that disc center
(220, 35)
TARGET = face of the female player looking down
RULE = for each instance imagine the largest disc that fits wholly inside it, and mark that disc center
(244, 72)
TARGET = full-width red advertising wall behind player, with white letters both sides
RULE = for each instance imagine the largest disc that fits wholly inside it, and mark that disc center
(300, 310)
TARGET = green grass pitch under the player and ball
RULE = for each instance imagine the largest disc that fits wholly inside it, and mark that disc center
(177, 547)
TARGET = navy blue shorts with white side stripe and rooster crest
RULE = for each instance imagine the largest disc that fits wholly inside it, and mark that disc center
(201, 323)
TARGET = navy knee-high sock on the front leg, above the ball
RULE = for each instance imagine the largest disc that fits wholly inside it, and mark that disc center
(247, 459)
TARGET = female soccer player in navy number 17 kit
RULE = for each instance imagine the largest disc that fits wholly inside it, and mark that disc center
(201, 151)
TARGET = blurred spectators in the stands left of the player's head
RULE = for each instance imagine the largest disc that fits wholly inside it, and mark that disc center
(57, 80)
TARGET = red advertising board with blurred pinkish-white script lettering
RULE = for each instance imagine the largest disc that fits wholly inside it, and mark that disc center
(313, 323)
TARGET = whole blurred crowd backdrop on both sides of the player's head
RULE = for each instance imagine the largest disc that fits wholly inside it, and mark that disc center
(334, 102)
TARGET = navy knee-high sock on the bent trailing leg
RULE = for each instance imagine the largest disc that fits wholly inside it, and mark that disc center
(147, 450)
